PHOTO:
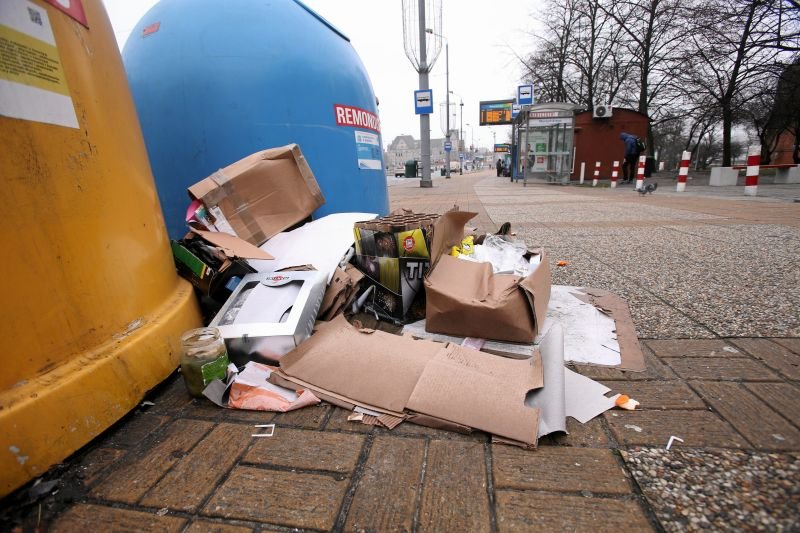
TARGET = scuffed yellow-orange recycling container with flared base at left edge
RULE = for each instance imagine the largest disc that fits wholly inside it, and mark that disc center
(92, 309)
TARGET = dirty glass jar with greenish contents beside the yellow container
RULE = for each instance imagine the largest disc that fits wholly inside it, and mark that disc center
(204, 358)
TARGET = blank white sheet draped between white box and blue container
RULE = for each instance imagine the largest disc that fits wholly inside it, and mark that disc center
(322, 243)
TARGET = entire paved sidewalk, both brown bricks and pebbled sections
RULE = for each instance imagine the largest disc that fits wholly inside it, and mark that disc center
(713, 282)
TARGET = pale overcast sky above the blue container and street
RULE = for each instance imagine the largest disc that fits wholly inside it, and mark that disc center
(483, 36)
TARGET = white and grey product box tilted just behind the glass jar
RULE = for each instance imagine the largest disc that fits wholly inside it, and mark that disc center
(268, 315)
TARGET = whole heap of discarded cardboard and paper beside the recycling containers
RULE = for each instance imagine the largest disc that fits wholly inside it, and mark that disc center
(294, 288)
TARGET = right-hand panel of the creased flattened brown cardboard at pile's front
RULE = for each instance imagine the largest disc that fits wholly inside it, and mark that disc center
(466, 387)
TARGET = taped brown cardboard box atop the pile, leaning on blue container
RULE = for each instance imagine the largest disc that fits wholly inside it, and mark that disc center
(260, 195)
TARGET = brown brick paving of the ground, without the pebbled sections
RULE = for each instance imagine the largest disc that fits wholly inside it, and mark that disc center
(184, 465)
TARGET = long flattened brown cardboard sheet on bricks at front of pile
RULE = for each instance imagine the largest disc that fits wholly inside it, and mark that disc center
(404, 376)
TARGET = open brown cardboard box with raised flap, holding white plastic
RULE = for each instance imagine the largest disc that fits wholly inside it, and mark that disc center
(467, 299)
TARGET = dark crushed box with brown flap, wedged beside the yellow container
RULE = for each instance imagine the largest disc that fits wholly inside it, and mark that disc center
(214, 262)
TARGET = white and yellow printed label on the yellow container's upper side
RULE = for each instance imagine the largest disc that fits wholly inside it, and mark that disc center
(32, 81)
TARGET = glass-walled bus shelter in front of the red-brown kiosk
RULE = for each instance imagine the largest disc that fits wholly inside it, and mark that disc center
(545, 139)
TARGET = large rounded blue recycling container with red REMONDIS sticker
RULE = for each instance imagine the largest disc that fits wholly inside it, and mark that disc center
(214, 81)
